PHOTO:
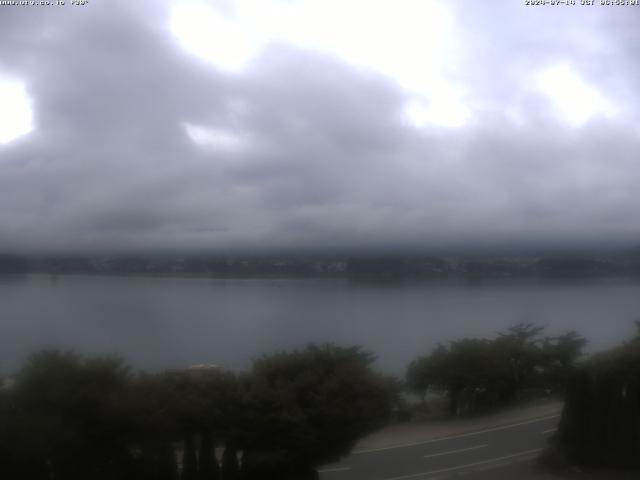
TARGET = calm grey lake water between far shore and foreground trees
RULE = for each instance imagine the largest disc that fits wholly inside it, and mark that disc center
(175, 322)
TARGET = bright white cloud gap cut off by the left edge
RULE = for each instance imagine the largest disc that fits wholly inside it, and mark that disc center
(16, 117)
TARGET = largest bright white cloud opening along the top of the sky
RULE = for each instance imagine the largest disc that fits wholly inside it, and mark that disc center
(410, 41)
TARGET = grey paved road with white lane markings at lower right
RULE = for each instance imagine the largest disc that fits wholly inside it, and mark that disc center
(500, 452)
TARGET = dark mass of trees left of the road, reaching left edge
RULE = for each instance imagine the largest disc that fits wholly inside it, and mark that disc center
(69, 417)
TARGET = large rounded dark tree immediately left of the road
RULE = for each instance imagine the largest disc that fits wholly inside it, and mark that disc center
(309, 407)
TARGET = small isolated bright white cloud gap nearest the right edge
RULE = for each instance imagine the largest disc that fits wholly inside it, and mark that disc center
(574, 100)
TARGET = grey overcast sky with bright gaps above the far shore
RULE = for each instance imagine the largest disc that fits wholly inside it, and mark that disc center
(317, 123)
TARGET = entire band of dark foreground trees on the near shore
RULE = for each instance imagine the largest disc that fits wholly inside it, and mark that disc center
(68, 416)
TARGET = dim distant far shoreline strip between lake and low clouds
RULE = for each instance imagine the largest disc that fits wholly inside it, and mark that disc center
(381, 267)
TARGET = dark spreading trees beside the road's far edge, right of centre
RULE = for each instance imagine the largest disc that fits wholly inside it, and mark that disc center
(478, 374)
